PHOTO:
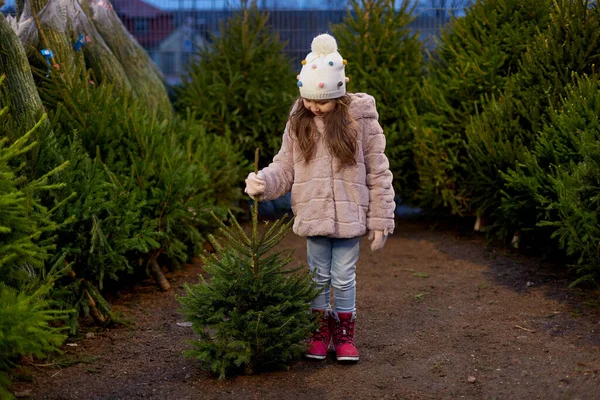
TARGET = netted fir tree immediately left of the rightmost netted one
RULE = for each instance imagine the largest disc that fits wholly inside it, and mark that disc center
(98, 56)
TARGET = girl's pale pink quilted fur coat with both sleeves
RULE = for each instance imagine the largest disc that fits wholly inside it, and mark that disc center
(333, 202)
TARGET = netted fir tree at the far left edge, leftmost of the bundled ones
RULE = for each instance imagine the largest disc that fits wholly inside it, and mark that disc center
(26, 105)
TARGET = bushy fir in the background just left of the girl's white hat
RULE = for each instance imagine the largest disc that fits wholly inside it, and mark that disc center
(241, 76)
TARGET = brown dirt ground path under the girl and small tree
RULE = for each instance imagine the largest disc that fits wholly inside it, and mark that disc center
(440, 316)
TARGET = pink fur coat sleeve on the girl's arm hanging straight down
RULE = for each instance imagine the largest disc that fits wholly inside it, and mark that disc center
(380, 216)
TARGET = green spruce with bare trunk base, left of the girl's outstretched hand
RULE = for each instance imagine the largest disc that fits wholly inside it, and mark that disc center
(178, 190)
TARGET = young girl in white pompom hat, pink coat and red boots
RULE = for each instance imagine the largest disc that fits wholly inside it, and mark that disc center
(332, 159)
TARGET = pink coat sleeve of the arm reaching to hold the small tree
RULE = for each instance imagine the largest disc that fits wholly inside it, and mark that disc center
(279, 175)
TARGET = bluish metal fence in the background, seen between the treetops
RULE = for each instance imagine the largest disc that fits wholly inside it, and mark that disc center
(171, 30)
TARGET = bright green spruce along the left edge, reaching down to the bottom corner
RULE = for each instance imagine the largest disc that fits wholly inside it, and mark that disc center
(26, 243)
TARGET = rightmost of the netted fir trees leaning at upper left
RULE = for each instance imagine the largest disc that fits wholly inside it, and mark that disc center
(144, 76)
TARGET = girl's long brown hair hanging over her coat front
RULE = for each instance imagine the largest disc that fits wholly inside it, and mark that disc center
(340, 130)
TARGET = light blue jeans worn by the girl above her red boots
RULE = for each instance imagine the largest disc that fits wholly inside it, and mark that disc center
(334, 261)
